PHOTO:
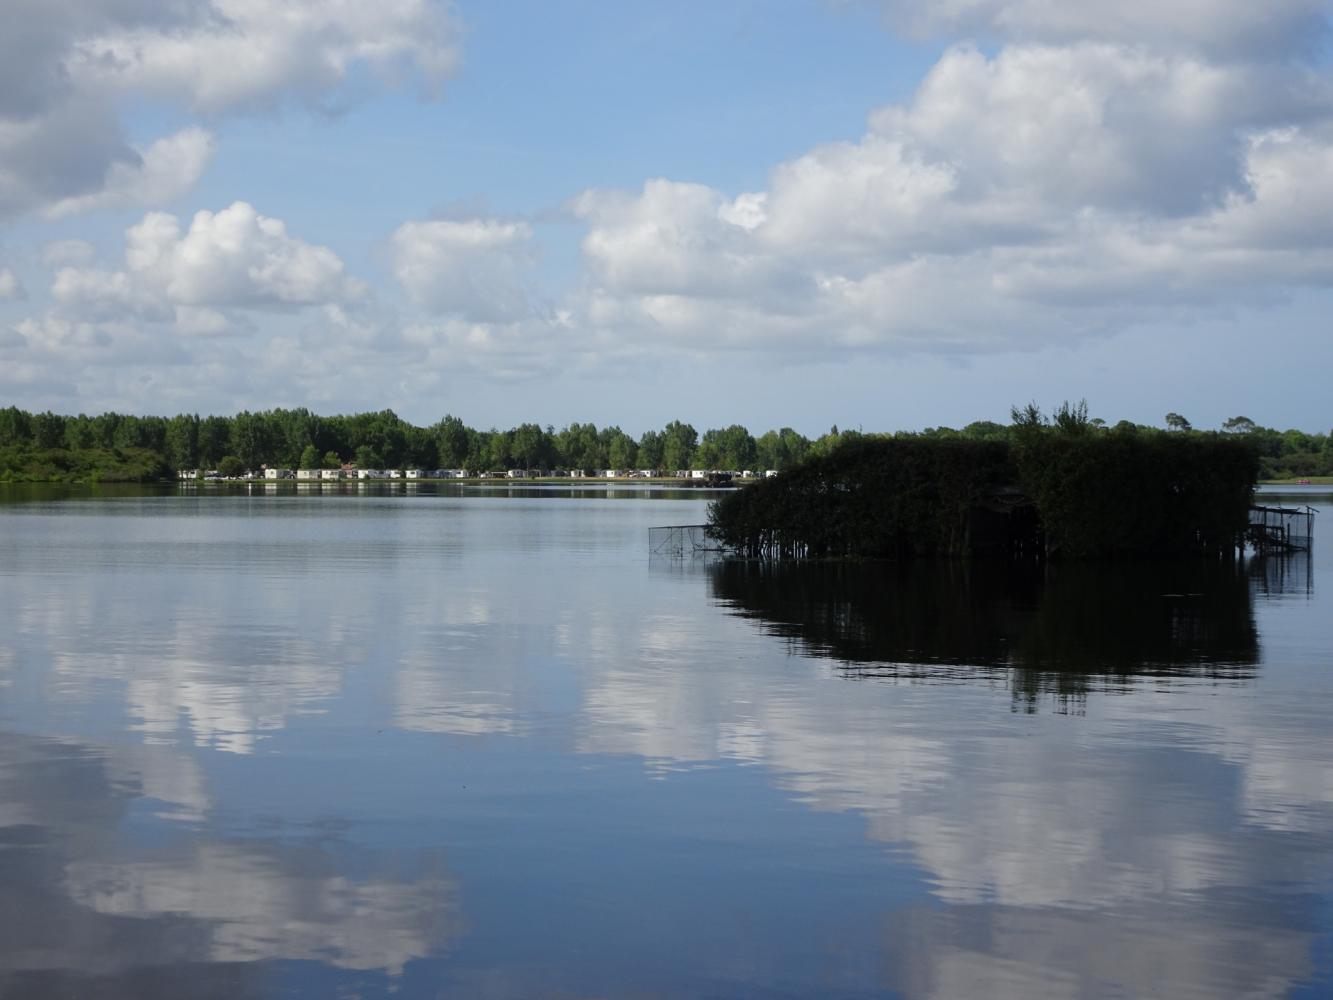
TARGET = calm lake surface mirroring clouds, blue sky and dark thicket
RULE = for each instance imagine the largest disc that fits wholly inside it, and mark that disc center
(481, 745)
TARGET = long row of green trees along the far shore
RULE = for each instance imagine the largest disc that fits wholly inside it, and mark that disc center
(127, 447)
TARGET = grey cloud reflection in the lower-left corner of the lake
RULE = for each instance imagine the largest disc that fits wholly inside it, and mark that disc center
(85, 903)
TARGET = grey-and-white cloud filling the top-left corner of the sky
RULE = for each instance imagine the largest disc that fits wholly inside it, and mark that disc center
(67, 65)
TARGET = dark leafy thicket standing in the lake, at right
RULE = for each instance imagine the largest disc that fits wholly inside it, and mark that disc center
(1063, 487)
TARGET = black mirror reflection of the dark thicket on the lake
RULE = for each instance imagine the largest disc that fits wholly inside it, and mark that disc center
(1056, 630)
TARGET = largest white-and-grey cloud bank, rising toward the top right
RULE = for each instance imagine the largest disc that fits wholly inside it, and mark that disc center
(1066, 185)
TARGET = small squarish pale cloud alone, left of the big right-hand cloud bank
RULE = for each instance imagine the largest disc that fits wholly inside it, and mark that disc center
(473, 269)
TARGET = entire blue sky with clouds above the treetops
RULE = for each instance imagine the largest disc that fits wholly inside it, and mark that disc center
(874, 214)
